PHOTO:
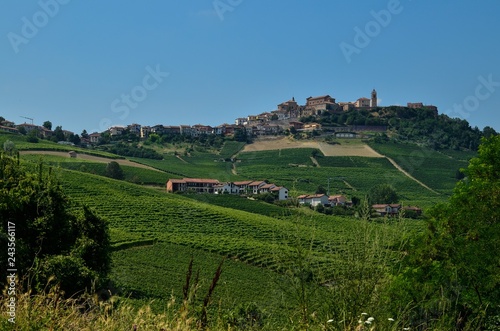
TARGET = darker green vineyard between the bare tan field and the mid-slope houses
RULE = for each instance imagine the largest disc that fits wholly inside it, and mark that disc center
(352, 176)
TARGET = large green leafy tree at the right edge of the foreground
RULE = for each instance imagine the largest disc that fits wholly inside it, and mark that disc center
(453, 266)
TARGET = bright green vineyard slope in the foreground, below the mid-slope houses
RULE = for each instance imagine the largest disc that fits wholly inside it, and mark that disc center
(155, 234)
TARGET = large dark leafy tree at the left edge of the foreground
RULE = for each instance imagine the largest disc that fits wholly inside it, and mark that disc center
(52, 239)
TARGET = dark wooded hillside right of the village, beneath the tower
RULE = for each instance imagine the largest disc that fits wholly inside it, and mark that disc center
(422, 126)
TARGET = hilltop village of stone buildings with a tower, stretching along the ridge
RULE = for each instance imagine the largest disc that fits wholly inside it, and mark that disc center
(287, 116)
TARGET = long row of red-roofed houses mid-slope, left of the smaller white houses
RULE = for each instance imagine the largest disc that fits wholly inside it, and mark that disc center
(213, 186)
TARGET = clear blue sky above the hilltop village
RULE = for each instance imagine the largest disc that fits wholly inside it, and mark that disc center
(90, 64)
